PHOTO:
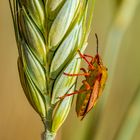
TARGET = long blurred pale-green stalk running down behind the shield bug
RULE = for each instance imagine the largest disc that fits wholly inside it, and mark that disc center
(117, 31)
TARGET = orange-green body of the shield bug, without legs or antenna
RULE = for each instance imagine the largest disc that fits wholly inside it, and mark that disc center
(88, 98)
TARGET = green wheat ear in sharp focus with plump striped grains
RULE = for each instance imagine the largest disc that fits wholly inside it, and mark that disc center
(48, 35)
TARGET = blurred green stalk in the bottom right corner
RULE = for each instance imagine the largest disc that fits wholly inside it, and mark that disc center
(131, 120)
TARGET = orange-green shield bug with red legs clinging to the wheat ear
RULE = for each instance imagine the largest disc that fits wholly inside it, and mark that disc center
(93, 85)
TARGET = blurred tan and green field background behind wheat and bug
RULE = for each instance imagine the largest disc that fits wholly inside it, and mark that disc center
(116, 115)
